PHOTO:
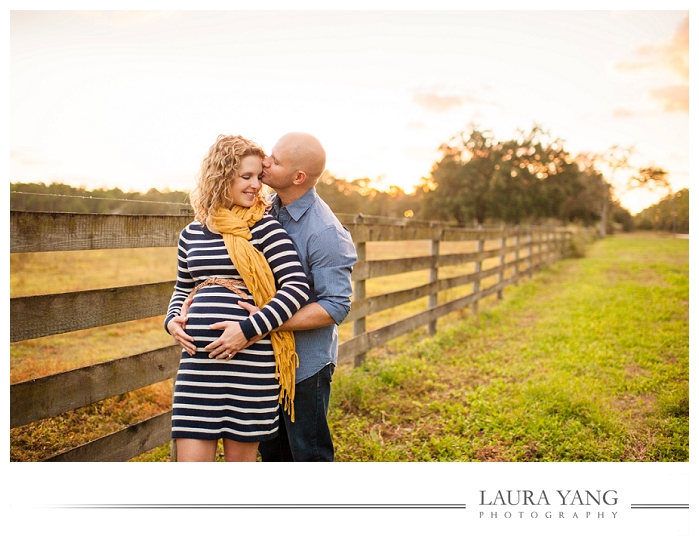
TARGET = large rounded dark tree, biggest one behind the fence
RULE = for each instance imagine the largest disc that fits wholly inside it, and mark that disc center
(527, 178)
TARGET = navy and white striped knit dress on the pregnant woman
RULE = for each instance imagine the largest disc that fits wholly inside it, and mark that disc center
(236, 399)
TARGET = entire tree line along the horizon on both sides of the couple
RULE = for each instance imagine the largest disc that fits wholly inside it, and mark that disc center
(528, 179)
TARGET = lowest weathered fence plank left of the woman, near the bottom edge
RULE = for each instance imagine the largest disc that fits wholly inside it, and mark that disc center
(122, 445)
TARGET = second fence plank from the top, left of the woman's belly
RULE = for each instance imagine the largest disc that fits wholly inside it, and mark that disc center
(44, 315)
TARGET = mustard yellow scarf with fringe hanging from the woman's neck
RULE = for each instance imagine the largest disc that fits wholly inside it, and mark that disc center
(234, 226)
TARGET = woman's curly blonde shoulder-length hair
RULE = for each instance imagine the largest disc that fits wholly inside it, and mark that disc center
(218, 169)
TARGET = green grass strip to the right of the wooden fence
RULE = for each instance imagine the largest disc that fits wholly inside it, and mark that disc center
(588, 361)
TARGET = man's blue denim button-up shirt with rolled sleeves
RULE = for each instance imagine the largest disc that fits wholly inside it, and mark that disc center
(327, 255)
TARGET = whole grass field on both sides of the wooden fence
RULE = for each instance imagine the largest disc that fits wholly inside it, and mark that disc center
(566, 368)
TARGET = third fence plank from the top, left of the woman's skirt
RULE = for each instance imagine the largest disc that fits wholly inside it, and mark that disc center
(51, 395)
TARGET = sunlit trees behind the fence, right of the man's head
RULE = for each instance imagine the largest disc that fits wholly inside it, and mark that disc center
(528, 179)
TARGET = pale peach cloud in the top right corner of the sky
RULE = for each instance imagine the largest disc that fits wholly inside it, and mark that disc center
(672, 54)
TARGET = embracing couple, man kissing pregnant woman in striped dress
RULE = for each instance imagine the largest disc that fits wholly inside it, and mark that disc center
(262, 283)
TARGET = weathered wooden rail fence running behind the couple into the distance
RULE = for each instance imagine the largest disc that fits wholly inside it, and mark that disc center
(519, 252)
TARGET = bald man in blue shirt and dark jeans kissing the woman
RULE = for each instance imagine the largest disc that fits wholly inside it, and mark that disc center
(327, 255)
